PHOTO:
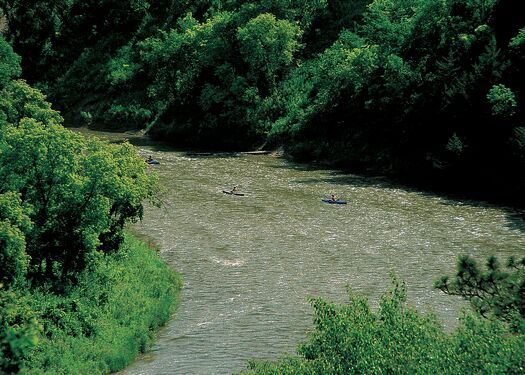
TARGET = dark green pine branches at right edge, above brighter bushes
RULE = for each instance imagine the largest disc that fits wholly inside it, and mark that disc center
(492, 291)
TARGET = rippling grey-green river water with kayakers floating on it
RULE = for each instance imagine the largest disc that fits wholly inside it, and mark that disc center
(250, 262)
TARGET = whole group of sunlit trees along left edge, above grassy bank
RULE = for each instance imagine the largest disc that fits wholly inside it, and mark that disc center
(65, 199)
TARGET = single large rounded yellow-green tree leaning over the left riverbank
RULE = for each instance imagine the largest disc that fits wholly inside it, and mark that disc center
(80, 193)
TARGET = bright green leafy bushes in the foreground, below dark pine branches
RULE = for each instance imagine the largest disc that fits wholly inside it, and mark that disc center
(354, 339)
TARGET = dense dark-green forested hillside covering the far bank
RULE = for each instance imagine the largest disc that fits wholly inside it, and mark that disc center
(424, 89)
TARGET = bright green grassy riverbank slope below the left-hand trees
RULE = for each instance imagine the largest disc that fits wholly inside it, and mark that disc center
(108, 318)
